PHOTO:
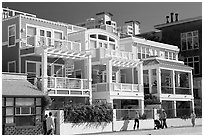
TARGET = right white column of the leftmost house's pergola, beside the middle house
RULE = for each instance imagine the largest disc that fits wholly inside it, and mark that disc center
(89, 77)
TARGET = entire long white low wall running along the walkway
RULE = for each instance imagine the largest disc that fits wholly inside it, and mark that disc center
(71, 129)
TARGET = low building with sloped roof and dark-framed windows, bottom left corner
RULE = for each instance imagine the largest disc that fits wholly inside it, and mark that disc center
(22, 106)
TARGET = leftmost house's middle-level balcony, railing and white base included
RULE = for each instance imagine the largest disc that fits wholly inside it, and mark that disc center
(68, 86)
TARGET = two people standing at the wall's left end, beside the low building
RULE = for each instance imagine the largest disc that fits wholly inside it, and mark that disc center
(48, 124)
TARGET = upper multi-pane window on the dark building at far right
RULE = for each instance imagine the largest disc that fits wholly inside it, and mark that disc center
(189, 40)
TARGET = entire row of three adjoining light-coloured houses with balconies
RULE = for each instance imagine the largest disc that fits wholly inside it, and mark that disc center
(77, 65)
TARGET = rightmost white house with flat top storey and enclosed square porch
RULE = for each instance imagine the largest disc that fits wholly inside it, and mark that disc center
(163, 75)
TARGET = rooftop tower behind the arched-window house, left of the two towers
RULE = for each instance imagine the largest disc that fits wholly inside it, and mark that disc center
(102, 20)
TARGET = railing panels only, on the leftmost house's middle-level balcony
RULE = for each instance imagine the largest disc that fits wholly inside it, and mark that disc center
(67, 83)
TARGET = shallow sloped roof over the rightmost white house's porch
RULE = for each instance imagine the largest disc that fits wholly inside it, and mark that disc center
(166, 63)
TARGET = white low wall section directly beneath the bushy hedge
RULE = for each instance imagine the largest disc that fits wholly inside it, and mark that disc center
(71, 129)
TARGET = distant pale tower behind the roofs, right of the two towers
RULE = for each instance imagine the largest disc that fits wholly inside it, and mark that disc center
(131, 28)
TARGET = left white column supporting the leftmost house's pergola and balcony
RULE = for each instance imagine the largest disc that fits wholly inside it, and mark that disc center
(44, 71)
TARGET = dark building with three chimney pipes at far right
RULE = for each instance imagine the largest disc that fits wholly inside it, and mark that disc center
(187, 35)
